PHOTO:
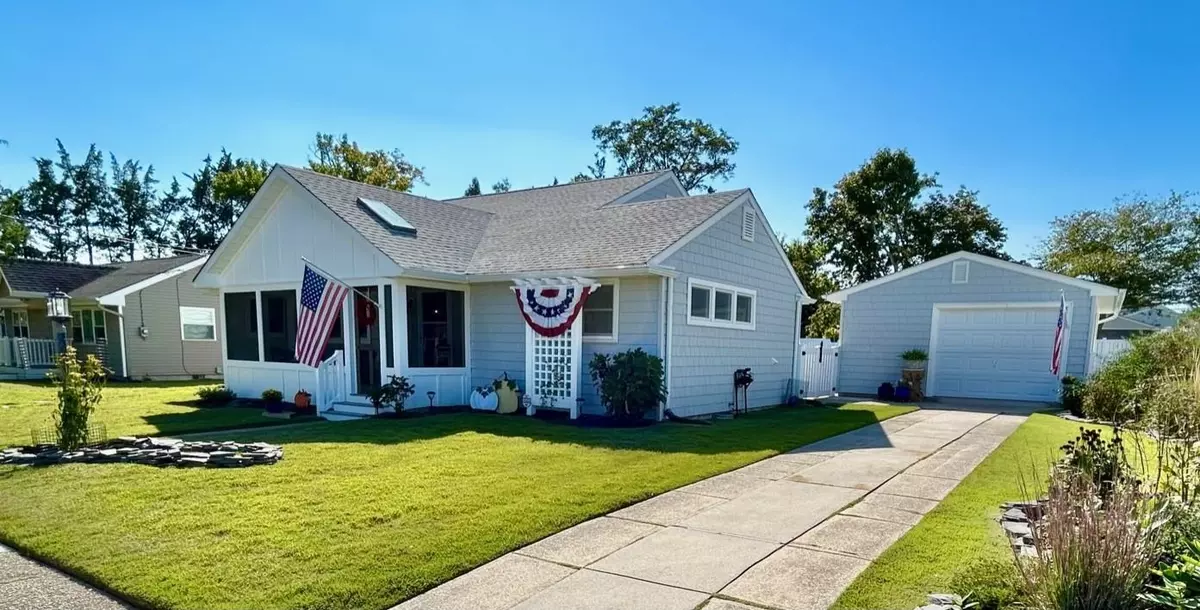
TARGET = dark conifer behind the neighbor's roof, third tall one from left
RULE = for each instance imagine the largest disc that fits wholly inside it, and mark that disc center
(134, 201)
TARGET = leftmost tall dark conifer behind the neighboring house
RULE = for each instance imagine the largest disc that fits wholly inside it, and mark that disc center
(47, 214)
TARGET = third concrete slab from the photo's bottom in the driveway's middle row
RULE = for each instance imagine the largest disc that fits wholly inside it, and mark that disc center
(777, 512)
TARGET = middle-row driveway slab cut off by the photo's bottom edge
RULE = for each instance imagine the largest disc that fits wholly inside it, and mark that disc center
(587, 590)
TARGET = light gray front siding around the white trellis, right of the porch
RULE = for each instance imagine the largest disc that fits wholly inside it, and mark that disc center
(499, 332)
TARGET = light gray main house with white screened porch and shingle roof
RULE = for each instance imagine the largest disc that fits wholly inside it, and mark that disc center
(700, 282)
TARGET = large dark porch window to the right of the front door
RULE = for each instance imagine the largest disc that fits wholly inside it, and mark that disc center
(436, 328)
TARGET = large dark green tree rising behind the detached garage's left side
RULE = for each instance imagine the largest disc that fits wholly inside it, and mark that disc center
(874, 224)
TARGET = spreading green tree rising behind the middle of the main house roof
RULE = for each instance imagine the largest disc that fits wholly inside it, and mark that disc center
(662, 140)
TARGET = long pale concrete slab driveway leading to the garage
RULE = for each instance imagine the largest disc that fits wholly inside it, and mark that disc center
(787, 534)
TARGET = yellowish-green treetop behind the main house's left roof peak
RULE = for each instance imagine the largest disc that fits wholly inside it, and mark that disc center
(345, 159)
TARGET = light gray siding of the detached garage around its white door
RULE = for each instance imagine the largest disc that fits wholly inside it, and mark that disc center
(879, 324)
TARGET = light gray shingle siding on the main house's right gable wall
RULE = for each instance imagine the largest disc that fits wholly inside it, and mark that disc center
(703, 358)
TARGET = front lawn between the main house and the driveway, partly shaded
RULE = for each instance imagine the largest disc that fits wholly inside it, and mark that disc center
(364, 515)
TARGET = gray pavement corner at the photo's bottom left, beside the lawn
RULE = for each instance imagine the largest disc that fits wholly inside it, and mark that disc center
(28, 585)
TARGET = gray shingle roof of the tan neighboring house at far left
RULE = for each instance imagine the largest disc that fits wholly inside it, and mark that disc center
(85, 282)
